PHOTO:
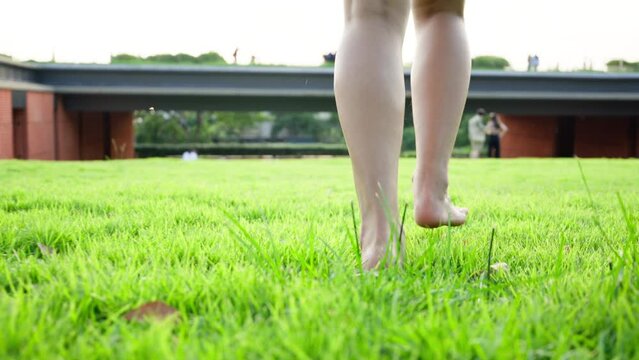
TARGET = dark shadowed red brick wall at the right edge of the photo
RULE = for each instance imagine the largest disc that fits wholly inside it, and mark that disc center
(604, 137)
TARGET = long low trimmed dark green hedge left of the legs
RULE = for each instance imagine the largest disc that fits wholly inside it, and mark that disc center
(241, 149)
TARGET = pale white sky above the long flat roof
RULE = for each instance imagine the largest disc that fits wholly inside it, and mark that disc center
(564, 33)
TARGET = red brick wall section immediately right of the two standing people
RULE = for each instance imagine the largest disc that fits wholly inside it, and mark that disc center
(529, 136)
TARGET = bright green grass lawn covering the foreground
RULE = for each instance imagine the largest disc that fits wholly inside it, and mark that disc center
(277, 276)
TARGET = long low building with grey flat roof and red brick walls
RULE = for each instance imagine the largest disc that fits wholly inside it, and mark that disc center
(84, 112)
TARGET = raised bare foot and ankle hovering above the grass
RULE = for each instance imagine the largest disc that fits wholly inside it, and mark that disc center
(433, 207)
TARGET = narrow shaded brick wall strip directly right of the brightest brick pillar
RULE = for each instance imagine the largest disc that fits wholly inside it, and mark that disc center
(67, 133)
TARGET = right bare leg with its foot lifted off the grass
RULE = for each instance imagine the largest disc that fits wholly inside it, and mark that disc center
(440, 79)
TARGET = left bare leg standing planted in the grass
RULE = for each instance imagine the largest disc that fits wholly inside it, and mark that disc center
(369, 89)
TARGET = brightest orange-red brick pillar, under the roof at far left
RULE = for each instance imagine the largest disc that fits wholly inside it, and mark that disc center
(40, 126)
